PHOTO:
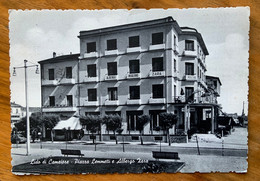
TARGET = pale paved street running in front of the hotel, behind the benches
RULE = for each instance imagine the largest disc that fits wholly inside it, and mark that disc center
(234, 156)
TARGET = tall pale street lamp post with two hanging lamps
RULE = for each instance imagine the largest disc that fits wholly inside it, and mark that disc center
(26, 100)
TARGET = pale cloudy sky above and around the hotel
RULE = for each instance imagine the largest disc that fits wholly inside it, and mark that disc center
(35, 35)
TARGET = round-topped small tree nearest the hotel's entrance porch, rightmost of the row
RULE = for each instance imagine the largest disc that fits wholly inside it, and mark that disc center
(167, 121)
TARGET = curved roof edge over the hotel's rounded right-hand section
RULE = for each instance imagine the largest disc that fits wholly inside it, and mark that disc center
(194, 32)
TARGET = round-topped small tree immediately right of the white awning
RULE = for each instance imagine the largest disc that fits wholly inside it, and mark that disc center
(92, 124)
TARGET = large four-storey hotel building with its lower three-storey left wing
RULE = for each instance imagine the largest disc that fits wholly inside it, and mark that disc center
(141, 68)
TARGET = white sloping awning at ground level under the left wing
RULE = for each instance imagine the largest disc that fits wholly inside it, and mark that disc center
(72, 123)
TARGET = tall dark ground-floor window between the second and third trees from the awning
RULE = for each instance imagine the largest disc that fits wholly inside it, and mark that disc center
(132, 120)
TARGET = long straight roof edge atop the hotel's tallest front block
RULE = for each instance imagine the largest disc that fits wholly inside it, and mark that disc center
(156, 22)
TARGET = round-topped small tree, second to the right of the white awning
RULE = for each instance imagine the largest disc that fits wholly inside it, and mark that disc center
(113, 123)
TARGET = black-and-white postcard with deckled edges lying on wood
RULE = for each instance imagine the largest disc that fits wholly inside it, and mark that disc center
(129, 91)
